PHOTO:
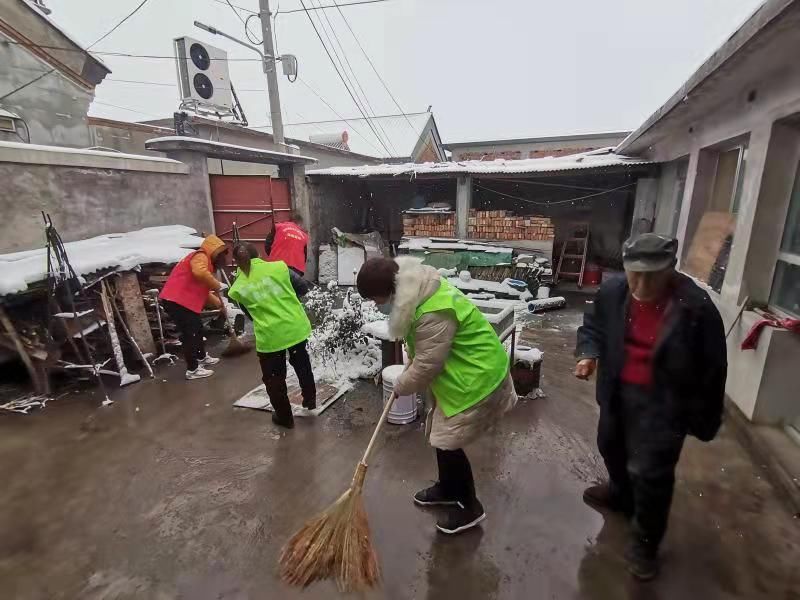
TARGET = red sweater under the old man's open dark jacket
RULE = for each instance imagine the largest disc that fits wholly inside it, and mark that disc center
(645, 321)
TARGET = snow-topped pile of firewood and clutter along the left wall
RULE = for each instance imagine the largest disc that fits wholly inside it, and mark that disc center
(87, 309)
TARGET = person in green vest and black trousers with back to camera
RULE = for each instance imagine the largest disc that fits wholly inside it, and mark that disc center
(269, 292)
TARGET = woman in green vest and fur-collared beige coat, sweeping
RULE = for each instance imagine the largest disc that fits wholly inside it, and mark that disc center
(456, 355)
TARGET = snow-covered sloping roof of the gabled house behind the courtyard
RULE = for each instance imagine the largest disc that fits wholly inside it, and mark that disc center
(403, 133)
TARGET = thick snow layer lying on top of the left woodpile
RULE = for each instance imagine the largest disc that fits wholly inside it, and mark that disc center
(166, 244)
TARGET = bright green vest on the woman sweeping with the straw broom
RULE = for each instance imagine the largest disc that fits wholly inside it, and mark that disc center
(477, 363)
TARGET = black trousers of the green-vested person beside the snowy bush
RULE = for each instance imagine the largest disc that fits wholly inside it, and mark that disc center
(273, 370)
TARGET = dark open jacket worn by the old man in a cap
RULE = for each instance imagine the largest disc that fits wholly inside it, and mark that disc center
(690, 362)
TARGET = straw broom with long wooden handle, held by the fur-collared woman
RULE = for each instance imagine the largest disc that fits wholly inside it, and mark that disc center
(336, 543)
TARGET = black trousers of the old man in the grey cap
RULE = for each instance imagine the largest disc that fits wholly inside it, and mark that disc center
(640, 440)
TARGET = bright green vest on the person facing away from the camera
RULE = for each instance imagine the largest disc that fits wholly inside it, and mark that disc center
(279, 320)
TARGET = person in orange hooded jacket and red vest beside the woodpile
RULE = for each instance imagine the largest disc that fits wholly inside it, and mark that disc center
(189, 288)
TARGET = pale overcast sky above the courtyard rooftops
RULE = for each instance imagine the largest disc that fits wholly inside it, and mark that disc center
(507, 68)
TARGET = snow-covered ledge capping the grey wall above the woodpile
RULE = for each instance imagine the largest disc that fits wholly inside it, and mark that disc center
(32, 154)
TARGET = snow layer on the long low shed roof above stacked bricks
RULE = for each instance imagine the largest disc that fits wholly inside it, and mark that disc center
(587, 160)
